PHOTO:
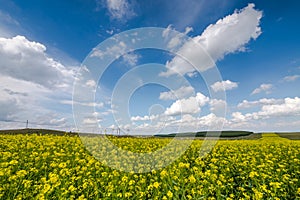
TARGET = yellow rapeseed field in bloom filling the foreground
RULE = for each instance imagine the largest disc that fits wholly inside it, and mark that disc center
(59, 167)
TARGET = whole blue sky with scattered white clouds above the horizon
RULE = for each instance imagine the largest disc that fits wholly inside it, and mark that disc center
(254, 46)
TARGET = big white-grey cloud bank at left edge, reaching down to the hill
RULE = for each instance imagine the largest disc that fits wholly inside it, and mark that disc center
(34, 84)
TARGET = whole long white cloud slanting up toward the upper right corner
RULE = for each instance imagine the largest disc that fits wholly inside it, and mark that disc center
(229, 35)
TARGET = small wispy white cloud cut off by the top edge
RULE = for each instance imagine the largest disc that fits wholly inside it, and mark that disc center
(120, 9)
